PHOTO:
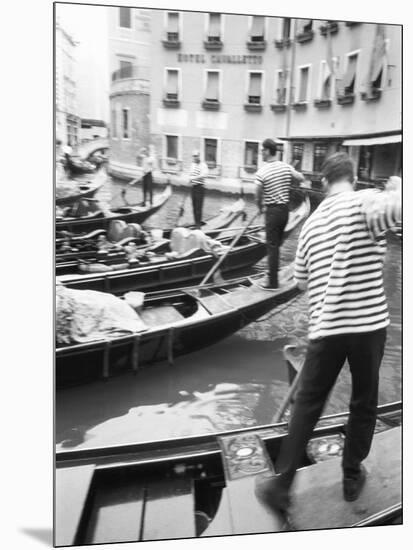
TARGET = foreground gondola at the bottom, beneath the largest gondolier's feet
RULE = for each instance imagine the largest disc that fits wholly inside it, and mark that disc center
(203, 486)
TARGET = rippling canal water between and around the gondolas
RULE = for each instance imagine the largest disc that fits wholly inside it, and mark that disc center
(237, 383)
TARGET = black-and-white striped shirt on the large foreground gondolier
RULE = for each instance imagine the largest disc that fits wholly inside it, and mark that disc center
(340, 256)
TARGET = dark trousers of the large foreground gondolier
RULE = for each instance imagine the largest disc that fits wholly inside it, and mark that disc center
(323, 363)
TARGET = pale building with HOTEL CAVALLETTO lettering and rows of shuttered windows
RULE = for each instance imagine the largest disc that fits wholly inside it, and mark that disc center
(221, 84)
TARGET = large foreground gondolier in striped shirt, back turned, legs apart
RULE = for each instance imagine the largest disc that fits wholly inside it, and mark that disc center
(339, 259)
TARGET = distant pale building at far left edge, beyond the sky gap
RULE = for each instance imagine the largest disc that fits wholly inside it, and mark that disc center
(67, 118)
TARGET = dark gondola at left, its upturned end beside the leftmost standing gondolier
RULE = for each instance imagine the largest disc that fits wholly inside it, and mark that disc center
(101, 220)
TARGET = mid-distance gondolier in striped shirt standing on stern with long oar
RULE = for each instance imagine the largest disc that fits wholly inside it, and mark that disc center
(273, 181)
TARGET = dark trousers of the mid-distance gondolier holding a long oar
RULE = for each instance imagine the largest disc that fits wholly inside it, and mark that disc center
(276, 217)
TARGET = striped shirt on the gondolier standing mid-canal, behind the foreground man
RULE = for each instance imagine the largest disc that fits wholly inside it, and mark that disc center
(275, 177)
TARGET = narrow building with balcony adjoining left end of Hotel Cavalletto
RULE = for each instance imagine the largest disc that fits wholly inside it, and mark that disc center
(129, 65)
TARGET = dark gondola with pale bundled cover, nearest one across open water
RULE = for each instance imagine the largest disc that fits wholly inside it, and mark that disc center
(175, 322)
